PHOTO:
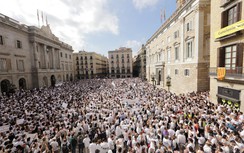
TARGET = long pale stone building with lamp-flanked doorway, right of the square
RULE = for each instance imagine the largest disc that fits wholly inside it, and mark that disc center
(178, 52)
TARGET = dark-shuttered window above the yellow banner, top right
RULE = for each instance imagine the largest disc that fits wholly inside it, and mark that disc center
(231, 15)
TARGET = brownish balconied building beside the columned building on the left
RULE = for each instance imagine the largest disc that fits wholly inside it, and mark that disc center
(89, 65)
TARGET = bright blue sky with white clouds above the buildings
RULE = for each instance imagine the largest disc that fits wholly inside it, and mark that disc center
(94, 25)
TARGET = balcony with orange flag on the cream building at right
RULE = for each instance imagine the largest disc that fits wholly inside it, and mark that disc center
(235, 76)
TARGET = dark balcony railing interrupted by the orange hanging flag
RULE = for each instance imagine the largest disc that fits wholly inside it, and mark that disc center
(237, 72)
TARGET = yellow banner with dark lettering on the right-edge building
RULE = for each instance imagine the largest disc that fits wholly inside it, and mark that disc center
(230, 29)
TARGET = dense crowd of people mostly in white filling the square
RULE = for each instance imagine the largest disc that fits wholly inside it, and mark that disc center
(116, 116)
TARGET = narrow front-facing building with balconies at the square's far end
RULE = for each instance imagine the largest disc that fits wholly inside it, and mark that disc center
(120, 63)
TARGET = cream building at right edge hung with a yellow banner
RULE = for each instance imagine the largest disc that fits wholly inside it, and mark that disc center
(227, 24)
